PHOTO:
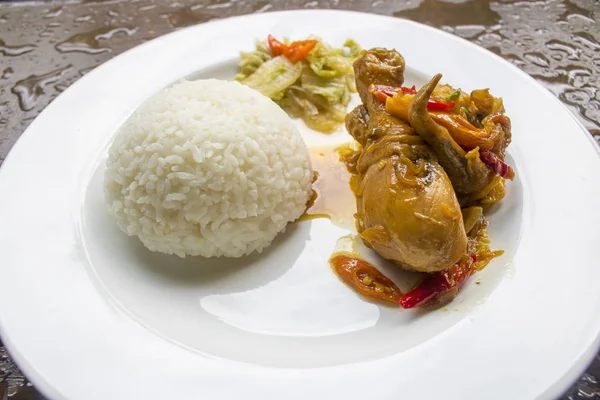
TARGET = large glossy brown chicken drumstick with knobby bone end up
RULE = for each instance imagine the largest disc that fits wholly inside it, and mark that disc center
(407, 210)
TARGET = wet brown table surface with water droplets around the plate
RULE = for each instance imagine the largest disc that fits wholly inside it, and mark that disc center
(46, 46)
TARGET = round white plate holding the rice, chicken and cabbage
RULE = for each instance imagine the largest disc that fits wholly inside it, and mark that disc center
(89, 313)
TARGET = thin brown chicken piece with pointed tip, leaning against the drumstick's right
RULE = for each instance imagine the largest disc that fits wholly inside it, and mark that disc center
(470, 177)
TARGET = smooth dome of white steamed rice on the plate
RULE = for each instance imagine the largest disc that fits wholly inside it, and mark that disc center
(209, 168)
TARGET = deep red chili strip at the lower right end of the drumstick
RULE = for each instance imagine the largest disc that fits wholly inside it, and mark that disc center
(439, 283)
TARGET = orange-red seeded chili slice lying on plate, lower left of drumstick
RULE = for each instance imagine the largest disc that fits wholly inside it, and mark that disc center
(365, 279)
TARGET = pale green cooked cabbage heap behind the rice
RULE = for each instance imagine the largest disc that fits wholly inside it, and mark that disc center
(317, 89)
